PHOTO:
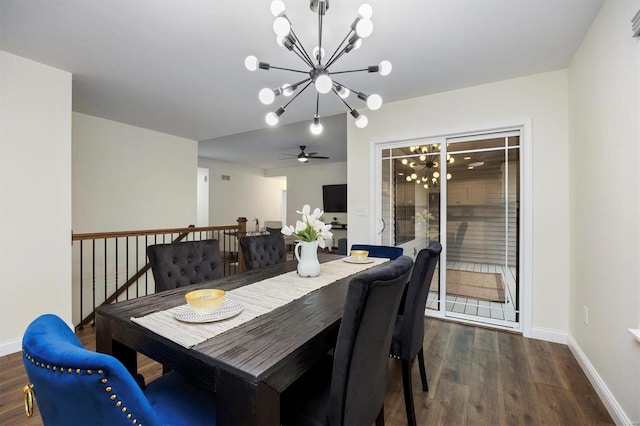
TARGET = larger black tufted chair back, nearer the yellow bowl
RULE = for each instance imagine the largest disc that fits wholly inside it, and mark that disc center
(180, 264)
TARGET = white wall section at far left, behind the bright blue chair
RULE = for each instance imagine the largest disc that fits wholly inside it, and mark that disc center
(35, 195)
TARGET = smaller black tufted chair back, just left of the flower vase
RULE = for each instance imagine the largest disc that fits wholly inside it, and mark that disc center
(263, 250)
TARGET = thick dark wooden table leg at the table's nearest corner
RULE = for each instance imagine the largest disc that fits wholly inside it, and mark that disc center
(243, 403)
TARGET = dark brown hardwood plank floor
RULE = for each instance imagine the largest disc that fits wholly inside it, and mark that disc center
(476, 376)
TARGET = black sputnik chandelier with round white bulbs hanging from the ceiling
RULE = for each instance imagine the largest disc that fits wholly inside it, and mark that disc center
(319, 74)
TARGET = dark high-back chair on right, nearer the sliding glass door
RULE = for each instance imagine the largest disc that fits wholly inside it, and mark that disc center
(408, 332)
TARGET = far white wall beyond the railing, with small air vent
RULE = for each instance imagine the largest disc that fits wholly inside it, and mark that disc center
(248, 193)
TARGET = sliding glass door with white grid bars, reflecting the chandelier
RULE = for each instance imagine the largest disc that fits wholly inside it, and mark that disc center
(464, 192)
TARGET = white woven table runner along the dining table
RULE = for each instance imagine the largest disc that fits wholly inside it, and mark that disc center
(257, 299)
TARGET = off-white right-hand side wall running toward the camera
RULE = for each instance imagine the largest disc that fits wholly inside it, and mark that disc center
(604, 105)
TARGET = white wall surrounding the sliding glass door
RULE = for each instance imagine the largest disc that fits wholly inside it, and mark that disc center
(542, 99)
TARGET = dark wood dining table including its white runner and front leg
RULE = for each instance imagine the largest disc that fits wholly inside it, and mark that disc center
(287, 324)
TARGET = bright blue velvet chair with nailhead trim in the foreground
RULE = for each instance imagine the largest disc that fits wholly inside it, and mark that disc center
(74, 386)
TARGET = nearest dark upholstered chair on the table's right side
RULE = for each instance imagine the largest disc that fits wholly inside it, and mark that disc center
(350, 388)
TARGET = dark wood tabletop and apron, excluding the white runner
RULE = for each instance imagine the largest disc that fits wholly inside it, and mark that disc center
(273, 349)
